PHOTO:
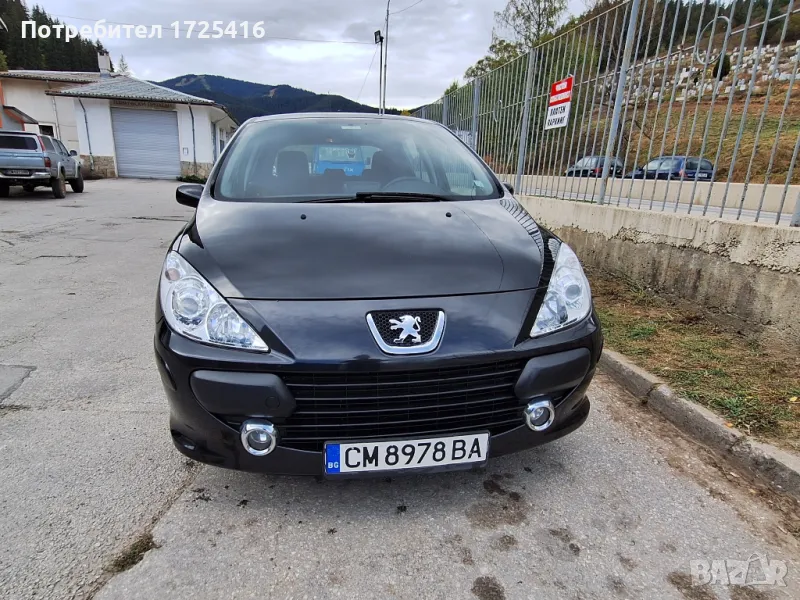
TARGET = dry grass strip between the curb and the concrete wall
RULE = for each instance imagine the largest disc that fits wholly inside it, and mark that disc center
(751, 385)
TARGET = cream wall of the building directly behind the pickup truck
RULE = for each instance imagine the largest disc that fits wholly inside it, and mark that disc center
(29, 97)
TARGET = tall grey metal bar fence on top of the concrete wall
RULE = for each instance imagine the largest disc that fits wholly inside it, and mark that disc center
(675, 106)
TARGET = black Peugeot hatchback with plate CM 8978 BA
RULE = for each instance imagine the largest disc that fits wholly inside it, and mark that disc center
(411, 317)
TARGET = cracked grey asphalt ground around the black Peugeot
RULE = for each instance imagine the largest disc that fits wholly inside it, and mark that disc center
(616, 510)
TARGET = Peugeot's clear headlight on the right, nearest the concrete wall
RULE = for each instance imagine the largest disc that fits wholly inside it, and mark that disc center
(568, 299)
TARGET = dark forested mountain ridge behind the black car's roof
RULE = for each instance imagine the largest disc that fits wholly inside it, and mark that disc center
(246, 99)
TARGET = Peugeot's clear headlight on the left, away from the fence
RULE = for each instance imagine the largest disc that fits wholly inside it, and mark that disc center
(194, 309)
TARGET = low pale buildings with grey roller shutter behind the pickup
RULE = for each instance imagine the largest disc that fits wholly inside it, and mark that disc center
(121, 126)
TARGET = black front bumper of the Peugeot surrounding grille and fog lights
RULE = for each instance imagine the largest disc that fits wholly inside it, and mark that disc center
(211, 390)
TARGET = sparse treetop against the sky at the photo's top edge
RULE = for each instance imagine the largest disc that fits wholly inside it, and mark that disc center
(527, 21)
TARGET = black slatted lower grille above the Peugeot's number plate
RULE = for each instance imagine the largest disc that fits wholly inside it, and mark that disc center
(346, 406)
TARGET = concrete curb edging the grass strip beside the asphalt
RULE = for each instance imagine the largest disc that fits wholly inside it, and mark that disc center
(780, 469)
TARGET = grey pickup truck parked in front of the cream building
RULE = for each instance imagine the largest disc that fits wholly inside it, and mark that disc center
(33, 160)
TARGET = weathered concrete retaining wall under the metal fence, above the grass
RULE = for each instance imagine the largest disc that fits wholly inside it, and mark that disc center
(748, 271)
